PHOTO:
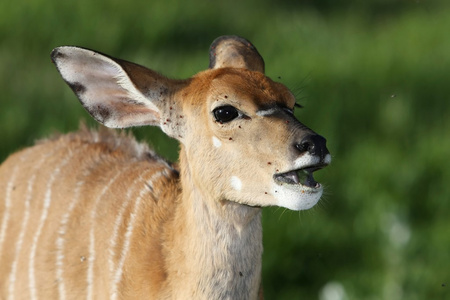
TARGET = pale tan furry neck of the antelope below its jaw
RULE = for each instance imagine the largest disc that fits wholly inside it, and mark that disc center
(220, 245)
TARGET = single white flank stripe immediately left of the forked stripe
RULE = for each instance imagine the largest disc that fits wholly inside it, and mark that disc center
(91, 258)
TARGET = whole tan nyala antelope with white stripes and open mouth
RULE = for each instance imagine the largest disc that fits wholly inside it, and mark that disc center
(96, 215)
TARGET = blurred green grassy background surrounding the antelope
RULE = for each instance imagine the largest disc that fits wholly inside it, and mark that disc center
(373, 77)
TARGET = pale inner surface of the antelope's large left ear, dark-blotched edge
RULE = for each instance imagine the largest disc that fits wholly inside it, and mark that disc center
(106, 89)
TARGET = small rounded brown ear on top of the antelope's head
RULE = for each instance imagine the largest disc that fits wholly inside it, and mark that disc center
(236, 52)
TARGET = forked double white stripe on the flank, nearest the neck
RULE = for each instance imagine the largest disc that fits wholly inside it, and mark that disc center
(117, 273)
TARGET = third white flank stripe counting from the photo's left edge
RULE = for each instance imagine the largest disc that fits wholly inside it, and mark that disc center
(45, 209)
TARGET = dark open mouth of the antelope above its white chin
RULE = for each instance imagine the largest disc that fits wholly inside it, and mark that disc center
(302, 177)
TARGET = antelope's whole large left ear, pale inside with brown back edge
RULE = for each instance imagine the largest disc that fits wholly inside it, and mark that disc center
(116, 93)
